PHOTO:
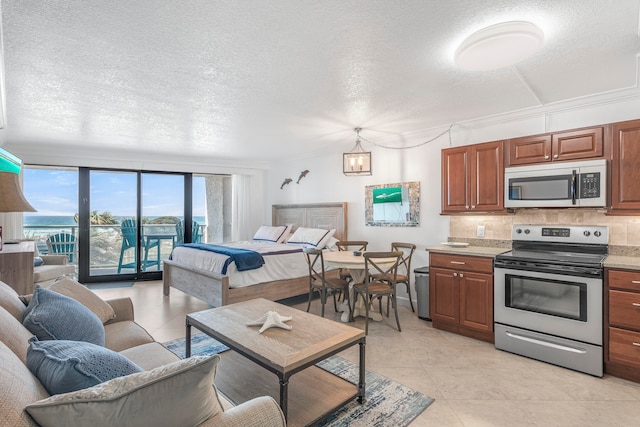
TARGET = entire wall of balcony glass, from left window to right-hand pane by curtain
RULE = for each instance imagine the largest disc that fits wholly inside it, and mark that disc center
(123, 224)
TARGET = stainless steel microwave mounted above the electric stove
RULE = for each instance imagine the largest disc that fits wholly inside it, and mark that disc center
(563, 184)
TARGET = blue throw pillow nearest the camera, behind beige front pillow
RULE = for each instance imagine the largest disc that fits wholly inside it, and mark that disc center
(63, 366)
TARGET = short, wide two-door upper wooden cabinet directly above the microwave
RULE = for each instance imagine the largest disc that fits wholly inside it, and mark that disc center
(572, 145)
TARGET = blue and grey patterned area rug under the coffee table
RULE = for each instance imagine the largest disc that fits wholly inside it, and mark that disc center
(388, 402)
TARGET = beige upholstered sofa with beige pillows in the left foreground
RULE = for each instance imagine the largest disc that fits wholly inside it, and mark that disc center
(166, 390)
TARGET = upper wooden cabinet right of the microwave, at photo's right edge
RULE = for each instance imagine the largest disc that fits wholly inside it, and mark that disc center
(625, 173)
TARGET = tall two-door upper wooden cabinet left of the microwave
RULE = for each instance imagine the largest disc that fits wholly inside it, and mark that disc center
(473, 178)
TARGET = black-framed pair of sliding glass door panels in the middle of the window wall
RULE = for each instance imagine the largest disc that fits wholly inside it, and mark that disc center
(132, 220)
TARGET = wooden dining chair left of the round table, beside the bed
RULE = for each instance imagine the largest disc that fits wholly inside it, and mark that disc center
(318, 280)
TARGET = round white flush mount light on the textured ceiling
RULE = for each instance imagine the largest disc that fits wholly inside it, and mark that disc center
(499, 46)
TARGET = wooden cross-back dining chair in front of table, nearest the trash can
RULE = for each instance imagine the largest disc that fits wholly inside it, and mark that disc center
(380, 282)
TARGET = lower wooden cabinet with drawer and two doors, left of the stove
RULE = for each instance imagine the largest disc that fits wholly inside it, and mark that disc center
(461, 294)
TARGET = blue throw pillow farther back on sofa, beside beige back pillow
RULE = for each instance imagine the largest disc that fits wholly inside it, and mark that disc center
(53, 316)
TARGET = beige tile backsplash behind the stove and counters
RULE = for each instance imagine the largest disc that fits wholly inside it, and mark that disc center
(624, 231)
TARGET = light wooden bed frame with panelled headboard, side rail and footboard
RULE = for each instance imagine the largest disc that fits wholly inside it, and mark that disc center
(213, 288)
